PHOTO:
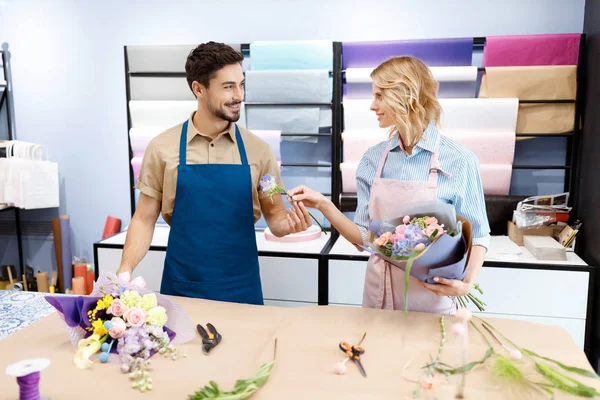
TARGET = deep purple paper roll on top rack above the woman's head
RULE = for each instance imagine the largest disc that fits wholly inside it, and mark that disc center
(433, 52)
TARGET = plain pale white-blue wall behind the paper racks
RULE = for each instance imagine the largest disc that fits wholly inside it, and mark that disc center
(68, 71)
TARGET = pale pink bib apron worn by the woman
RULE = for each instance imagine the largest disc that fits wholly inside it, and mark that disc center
(384, 283)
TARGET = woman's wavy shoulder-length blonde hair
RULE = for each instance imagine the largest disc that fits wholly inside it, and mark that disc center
(409, 90)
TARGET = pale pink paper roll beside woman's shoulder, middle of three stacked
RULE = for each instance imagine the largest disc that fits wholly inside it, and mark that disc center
(489, 146)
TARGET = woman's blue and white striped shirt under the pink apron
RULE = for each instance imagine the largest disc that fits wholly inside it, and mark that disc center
(462, 188)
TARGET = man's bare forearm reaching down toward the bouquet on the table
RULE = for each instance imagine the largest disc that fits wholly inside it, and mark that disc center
(137, 243)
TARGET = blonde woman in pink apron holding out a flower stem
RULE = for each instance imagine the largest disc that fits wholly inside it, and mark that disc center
(417, 163)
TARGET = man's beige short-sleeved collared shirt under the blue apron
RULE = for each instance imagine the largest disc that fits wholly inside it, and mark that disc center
(158, 173)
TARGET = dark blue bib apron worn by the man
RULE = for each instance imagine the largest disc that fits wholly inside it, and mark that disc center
(212, 253)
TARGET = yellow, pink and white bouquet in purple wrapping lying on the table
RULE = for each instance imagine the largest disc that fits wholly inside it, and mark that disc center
(123, 322)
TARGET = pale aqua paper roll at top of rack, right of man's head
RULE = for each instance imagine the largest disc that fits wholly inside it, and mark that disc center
(290, 55)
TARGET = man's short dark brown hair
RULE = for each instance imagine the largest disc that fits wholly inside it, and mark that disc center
(205, 60)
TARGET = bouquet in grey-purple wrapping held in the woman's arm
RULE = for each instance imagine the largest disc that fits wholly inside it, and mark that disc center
(428, 240)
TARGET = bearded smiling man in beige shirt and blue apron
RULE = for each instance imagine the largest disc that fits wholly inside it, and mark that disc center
(204, 174)
